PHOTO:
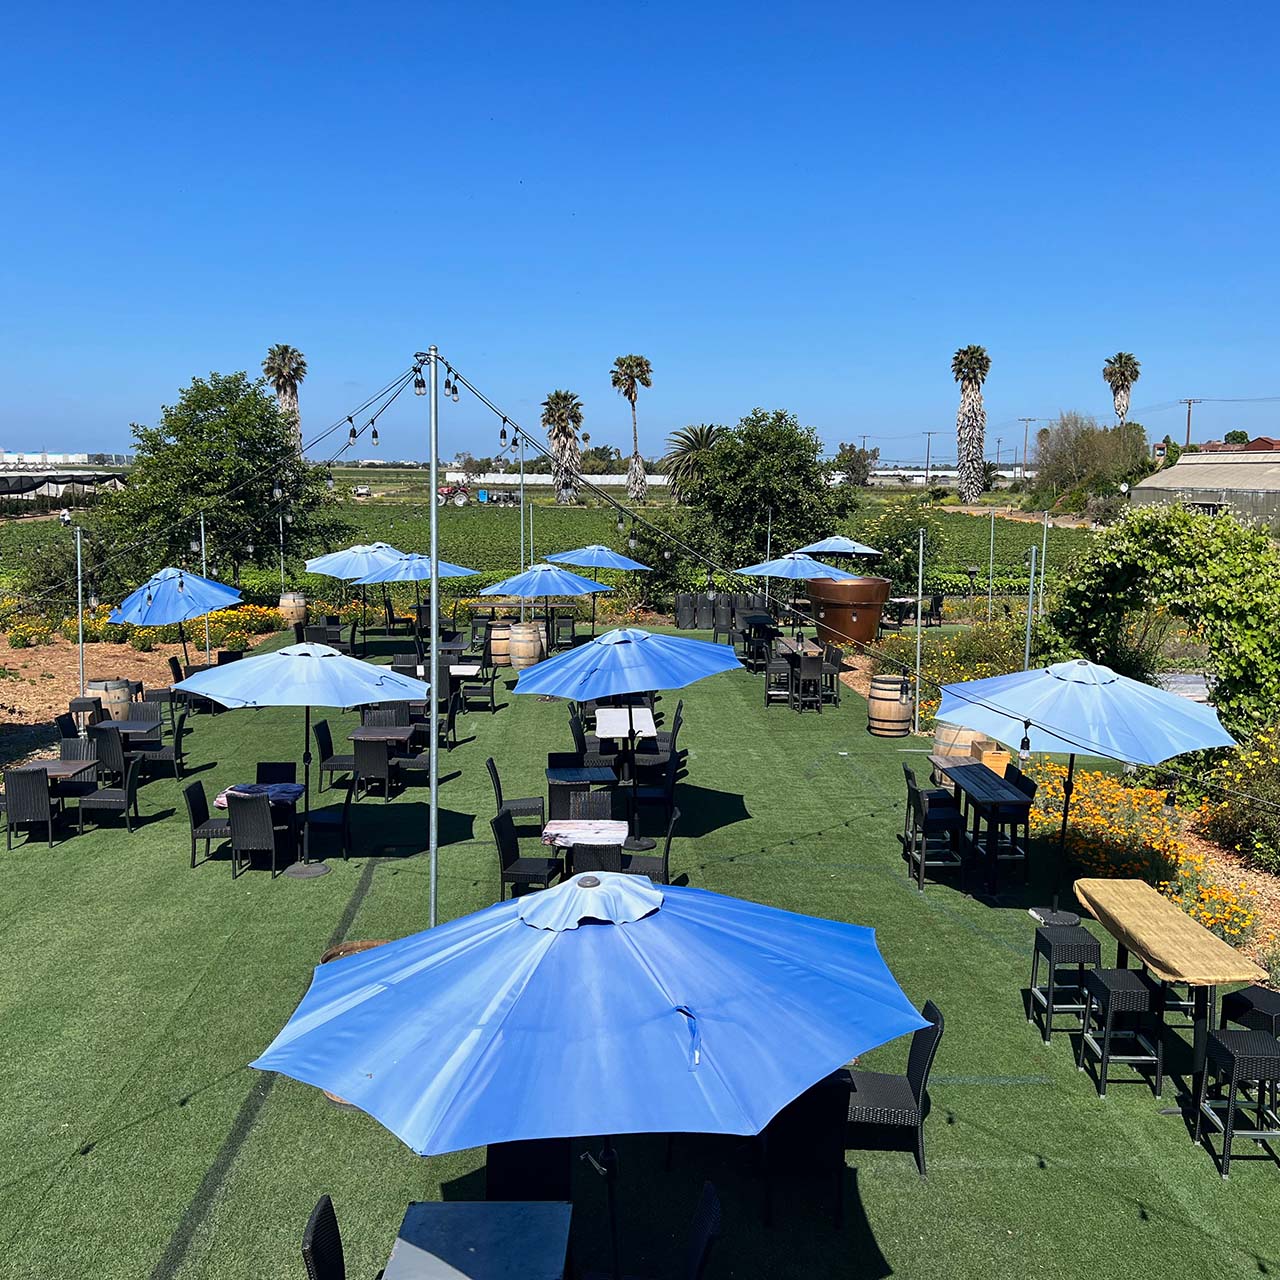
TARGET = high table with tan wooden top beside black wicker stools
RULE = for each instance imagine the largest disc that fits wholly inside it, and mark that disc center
(1174, 948)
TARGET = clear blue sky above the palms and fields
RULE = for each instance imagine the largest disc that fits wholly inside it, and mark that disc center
(798, 207)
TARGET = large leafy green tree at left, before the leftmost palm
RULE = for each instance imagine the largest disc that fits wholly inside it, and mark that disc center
(223, 450)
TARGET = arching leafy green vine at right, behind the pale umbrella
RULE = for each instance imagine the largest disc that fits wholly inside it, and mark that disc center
(1219, 577)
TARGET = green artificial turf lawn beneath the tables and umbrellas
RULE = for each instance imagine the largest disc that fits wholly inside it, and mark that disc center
(138, 1144)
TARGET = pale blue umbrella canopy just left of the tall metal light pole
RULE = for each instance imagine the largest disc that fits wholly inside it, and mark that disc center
(304, 675)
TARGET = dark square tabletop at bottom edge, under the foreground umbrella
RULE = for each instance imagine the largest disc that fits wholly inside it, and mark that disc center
(482, 1241)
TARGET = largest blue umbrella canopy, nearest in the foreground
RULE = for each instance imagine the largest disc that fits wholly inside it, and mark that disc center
(605, 1005)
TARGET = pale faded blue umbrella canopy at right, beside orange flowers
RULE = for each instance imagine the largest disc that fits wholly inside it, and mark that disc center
(1084, 708)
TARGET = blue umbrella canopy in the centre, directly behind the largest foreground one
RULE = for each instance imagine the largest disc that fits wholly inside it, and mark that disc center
(628, 661)
